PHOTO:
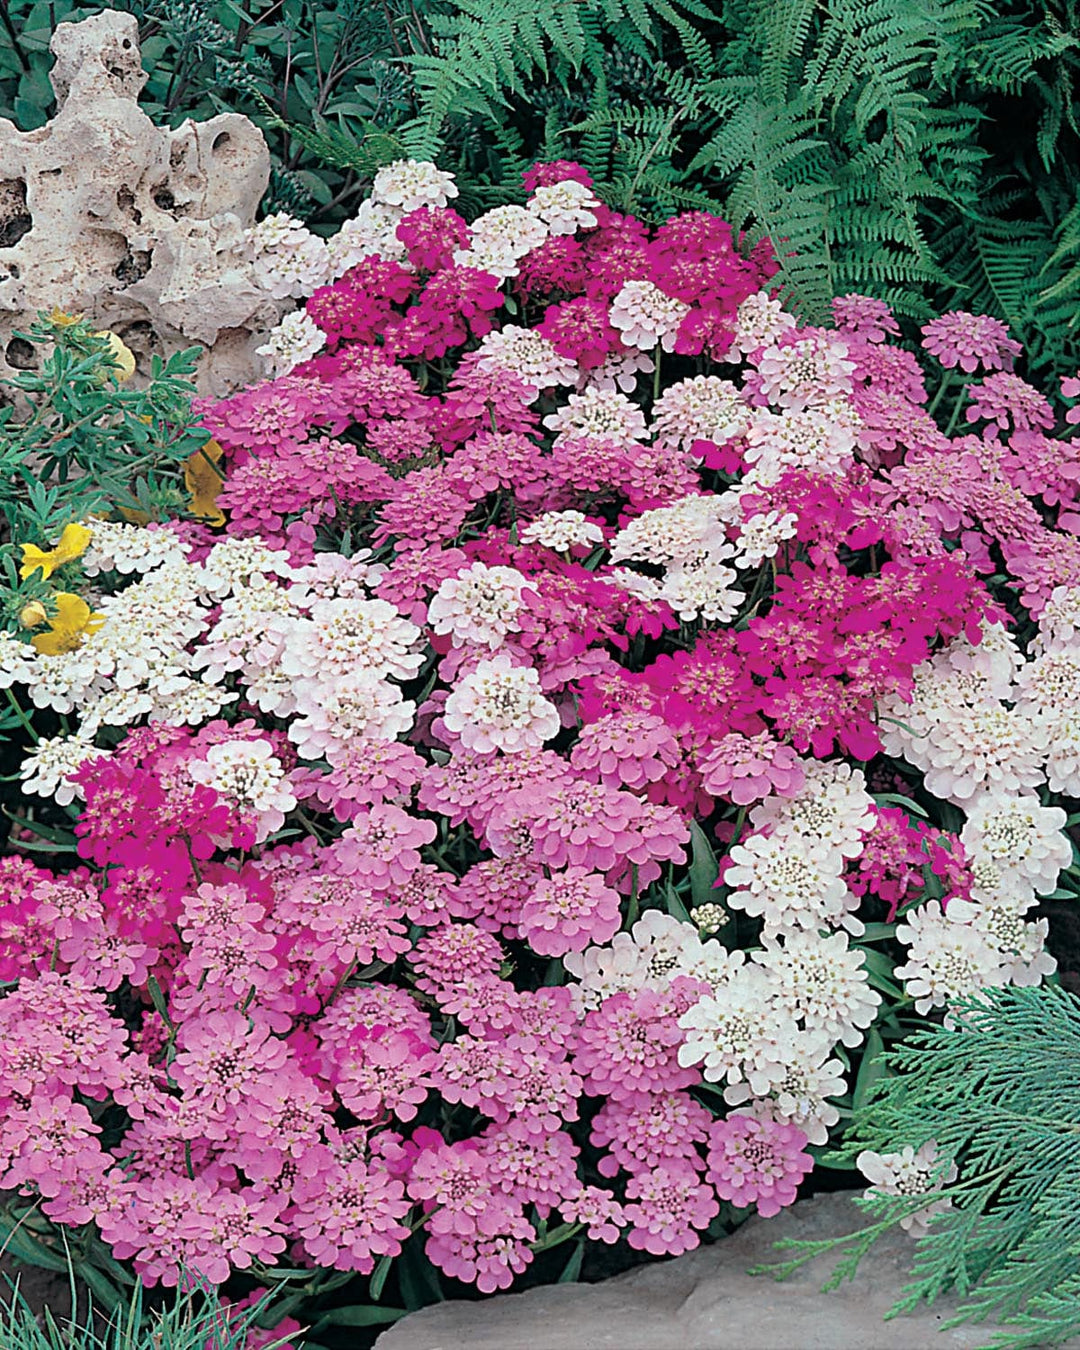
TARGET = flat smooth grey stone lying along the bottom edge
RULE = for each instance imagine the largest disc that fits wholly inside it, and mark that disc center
(705, 1301)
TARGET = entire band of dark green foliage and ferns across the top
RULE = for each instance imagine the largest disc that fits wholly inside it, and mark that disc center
(921, 151)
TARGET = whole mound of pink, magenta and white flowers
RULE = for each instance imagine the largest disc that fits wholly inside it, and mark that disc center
(608, 713)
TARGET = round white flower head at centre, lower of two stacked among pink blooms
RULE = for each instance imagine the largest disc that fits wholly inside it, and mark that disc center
(500, 707)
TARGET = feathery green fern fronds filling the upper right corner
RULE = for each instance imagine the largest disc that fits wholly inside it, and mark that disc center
(924, 152)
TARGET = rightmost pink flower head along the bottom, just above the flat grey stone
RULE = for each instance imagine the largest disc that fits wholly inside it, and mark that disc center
(758, 1162)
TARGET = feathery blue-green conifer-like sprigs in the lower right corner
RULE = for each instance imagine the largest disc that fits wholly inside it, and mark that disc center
(1001, 1096)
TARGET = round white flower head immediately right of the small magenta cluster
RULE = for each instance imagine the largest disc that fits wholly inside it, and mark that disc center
(1021, 836)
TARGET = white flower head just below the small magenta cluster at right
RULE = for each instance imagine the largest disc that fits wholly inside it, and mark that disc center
(946, 962)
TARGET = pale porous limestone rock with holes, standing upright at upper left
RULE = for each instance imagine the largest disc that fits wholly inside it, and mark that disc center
(138, 227)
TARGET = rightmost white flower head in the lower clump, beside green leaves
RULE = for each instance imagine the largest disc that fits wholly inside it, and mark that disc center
(823, 983)
